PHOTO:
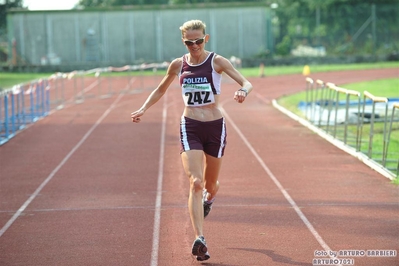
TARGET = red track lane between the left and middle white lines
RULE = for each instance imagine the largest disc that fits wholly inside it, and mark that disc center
(92, 204)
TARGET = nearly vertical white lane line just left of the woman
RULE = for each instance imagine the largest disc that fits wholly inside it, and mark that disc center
(158, 201)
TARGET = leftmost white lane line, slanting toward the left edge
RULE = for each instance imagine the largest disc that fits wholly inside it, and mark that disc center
(52, 174)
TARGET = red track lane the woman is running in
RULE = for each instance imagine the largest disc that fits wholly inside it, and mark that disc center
(235, 231)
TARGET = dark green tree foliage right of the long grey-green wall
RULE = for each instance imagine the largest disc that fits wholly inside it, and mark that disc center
(341, 26)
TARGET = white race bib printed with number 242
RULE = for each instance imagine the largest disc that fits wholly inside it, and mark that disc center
(197, 94)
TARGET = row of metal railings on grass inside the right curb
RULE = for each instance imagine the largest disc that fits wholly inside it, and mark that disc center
(367, 123)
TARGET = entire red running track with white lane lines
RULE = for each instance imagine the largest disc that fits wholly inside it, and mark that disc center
(85, 186)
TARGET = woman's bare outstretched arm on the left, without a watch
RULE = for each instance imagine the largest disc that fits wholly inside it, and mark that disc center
(157, 94)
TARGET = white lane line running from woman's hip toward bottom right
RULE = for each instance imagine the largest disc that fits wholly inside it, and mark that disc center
(278, 184)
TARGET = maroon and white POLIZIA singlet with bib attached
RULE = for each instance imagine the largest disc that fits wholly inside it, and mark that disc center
(200, 82)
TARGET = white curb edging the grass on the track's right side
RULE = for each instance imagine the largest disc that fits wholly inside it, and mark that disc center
(362, 157)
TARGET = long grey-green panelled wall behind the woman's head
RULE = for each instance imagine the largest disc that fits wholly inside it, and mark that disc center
(101, 38)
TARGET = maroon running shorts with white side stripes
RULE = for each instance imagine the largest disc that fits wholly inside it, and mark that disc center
(209, 136)
